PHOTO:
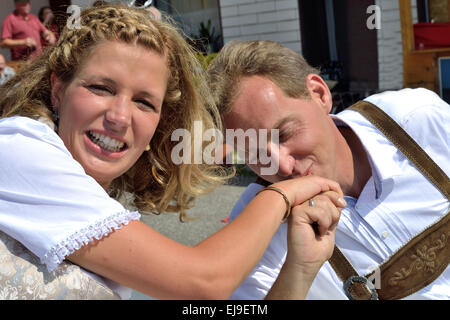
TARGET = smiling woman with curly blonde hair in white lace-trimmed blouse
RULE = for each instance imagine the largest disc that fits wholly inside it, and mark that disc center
(117, 88)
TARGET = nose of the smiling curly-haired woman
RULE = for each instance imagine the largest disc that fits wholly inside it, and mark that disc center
(118, 115)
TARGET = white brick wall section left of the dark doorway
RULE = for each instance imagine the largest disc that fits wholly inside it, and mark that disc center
(276, 20)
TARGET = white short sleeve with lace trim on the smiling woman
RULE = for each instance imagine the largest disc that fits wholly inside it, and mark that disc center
(47, 201)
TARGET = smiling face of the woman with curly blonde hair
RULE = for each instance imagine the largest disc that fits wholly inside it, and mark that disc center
(110, 110)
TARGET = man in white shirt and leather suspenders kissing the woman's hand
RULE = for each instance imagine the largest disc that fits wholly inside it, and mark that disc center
(262, 85)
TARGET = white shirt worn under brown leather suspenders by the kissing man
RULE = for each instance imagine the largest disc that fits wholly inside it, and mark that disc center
(396, 204)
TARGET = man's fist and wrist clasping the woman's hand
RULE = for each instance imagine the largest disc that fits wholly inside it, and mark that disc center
(310, 238)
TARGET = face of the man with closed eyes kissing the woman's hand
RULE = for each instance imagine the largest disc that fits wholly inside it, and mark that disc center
(306, 132)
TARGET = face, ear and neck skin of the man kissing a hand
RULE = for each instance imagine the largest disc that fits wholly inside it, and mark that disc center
(309, 141)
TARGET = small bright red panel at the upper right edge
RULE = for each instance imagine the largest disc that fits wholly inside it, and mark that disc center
(432, 35)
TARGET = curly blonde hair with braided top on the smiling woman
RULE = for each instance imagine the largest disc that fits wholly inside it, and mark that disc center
(157, 183)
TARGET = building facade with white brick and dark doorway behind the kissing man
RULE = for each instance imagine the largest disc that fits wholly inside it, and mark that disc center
(326, 30)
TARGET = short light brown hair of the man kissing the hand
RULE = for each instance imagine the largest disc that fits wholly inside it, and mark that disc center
(237, 59)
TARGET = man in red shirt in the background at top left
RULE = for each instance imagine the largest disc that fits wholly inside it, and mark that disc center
(22, 32)
